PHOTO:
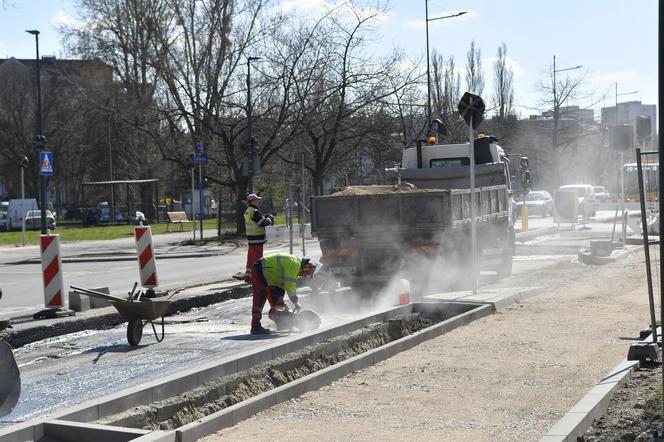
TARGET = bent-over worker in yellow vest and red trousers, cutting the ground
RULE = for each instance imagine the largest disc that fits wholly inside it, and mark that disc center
(272, 277)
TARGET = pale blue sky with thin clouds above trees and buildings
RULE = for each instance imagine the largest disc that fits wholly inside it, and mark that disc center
(614, 40)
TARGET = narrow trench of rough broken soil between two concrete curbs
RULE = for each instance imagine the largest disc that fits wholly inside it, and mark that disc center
(226, 391)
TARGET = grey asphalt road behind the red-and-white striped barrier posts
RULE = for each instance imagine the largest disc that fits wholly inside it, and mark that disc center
(21, 283)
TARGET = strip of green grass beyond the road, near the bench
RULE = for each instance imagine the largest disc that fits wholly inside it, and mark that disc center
(68, 234)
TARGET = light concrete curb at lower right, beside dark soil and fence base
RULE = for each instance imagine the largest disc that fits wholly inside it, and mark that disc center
(576, 421)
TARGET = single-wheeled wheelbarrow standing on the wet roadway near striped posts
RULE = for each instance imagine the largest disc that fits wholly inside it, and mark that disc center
(138, 311)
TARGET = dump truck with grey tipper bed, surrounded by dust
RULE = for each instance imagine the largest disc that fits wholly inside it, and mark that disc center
(421, 223)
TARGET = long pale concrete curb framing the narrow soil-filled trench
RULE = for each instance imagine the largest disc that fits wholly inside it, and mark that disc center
(74, 420)
